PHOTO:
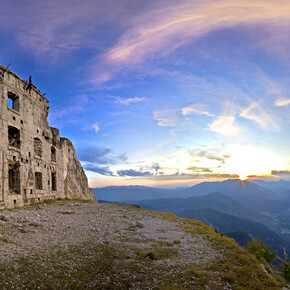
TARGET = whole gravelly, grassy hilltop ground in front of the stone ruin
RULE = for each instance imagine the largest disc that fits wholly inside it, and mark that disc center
(76, 245)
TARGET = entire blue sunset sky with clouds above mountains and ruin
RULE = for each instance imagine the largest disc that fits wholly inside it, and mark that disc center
(160, 93)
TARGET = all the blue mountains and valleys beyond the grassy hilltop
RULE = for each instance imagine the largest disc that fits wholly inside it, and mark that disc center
(242, 209)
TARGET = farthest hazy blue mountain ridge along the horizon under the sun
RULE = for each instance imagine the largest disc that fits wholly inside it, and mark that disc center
(247, 193)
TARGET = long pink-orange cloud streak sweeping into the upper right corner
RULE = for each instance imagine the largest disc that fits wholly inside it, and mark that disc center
(171, 26)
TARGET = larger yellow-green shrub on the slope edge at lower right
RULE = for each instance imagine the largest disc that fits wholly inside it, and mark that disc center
(261, 250)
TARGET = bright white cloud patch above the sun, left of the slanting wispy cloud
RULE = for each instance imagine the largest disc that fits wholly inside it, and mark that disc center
(224, 125)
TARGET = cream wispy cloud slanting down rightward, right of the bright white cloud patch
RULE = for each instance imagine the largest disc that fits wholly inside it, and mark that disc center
(263, 119)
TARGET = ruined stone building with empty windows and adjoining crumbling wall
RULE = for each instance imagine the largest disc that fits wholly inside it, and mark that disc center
(36, 164)
